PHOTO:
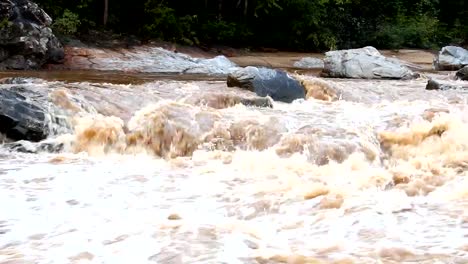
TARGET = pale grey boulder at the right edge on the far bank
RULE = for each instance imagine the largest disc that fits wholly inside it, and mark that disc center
(451, 58)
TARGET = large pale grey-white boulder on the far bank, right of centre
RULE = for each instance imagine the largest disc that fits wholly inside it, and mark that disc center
(363, 63)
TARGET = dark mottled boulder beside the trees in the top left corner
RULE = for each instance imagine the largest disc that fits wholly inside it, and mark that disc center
(26, 41)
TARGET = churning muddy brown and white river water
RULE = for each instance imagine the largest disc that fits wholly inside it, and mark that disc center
(170, 169)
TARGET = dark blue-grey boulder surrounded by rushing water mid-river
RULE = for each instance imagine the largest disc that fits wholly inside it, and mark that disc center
(267, 82)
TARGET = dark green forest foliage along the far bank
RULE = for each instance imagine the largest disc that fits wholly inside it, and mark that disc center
(310, 25)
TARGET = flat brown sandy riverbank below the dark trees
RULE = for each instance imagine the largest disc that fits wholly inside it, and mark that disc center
(84, 56)
